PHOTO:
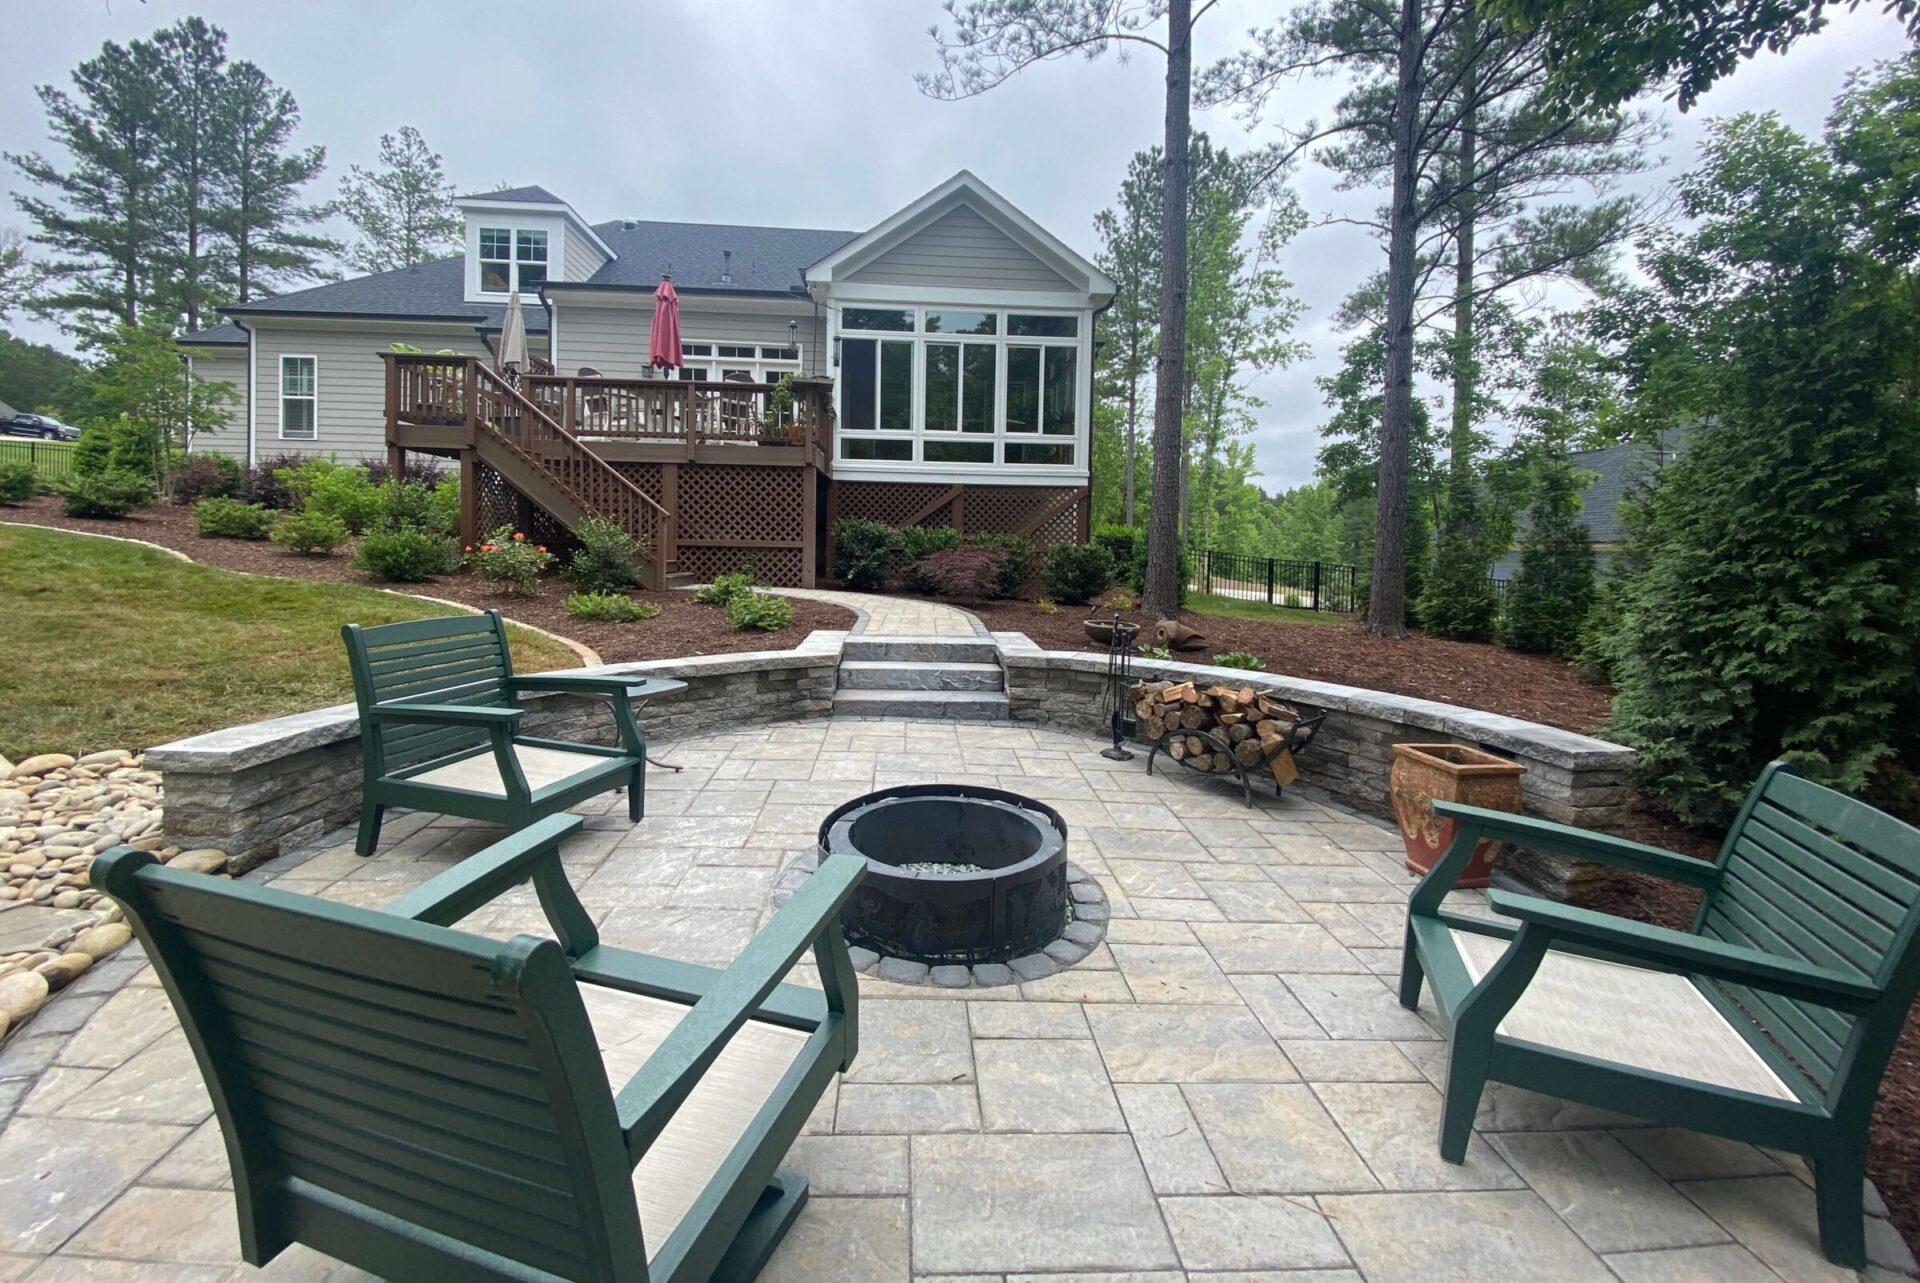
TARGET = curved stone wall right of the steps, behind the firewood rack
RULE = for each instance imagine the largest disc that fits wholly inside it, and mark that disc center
(1570, 779)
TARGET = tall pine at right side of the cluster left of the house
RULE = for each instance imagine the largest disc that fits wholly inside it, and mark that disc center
(260, 189)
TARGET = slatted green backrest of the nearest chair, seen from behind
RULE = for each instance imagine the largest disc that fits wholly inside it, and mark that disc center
(421, 1075)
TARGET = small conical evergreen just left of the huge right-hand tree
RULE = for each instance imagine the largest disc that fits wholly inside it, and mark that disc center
(1552, 593)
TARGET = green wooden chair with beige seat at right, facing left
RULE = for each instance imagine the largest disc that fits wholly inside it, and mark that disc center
(1769, 1023)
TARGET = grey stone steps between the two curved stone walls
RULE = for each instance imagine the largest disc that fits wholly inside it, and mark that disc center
(957, 679)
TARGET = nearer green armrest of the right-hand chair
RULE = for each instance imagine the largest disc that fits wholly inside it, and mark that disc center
(1679, 952)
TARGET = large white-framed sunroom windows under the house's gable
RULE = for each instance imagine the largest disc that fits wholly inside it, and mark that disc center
(1001, 341)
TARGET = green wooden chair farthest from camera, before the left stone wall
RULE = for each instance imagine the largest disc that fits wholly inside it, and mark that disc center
(441, 729)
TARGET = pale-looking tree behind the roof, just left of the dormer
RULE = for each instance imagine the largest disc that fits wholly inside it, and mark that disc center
(404, 208)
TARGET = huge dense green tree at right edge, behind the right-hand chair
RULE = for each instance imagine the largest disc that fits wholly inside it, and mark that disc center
(1779, 606)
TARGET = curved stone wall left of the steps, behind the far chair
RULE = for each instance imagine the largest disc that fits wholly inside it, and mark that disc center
(251, 790)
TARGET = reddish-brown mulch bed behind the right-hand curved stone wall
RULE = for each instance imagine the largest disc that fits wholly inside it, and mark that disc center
(1481, 677)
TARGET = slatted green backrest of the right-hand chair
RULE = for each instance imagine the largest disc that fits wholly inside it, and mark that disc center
(1813, 875)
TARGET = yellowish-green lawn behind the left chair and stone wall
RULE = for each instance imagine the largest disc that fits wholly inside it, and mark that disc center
(108, 646)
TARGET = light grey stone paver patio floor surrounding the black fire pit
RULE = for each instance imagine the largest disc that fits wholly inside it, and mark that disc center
(1226, 1092)
